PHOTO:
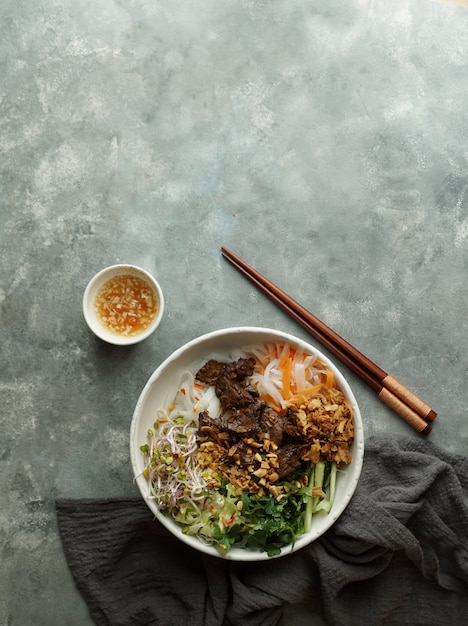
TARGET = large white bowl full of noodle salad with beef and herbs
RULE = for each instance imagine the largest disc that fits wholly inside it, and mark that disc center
(247, 443)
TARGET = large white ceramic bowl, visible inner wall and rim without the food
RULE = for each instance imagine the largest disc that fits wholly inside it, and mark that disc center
(190, 356)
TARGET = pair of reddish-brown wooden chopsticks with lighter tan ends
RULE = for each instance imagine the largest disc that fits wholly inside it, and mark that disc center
(404, 402)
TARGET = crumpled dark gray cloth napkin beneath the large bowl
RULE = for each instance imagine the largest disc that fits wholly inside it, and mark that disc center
(398, 555)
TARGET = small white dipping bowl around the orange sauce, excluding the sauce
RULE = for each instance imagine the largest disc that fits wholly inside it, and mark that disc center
(89, 308)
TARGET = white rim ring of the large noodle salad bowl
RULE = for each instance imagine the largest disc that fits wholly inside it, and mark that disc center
(239, 554)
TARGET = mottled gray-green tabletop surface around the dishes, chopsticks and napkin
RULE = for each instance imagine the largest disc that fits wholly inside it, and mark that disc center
(325, 142)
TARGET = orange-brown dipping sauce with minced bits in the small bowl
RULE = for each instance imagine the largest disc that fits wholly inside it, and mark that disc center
(126, 305)
